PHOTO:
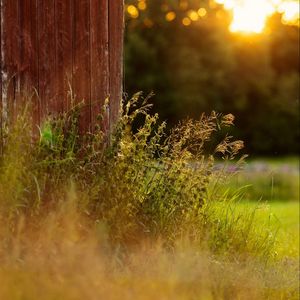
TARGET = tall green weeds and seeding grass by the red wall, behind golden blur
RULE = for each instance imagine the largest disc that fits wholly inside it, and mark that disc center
(137, 183)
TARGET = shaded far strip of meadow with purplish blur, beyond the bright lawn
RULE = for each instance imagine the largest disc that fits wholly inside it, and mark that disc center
(272, 180)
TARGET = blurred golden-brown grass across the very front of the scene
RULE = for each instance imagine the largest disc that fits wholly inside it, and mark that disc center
(61, 256)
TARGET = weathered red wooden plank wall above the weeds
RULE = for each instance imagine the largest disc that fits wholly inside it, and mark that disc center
(52, 47)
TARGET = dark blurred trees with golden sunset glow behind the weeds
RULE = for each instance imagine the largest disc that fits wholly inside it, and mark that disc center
(185, 53)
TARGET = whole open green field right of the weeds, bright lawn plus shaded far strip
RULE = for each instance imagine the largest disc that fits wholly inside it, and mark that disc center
(273, 187)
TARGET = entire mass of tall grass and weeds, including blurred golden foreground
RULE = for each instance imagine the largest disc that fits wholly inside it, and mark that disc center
(135, 214)
